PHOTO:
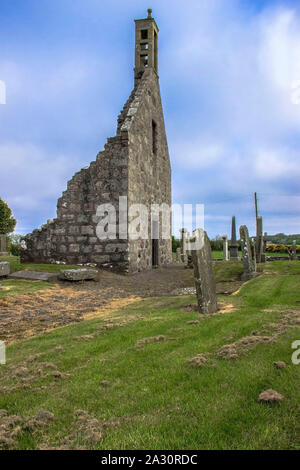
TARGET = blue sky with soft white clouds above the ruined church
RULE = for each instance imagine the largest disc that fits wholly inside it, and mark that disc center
(230, 83)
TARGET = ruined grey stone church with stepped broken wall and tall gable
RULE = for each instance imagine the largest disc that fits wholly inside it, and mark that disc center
(135, 163)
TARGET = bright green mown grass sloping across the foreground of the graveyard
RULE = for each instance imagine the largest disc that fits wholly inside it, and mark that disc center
(154, 399)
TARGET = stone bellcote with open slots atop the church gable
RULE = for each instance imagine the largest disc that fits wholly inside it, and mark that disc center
(146, 45)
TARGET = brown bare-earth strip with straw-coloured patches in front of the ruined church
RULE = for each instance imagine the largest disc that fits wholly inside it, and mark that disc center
(26, 315)
